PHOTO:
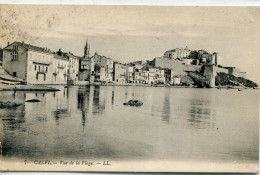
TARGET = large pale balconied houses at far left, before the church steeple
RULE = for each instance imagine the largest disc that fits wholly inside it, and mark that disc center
(37, 65)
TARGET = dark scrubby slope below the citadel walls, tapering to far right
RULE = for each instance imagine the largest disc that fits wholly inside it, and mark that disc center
(223, 79)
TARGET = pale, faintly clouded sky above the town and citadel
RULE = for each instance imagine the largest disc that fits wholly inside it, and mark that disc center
(130, 33)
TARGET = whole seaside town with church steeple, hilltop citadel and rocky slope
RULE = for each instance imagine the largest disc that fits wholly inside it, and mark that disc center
(23, 63)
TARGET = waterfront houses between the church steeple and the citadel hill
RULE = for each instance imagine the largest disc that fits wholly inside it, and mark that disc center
(108, 71)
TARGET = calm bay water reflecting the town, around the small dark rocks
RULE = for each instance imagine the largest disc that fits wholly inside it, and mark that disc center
(92, 122)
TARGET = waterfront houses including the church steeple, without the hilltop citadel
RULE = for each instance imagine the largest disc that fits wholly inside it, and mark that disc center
(37, 65)
